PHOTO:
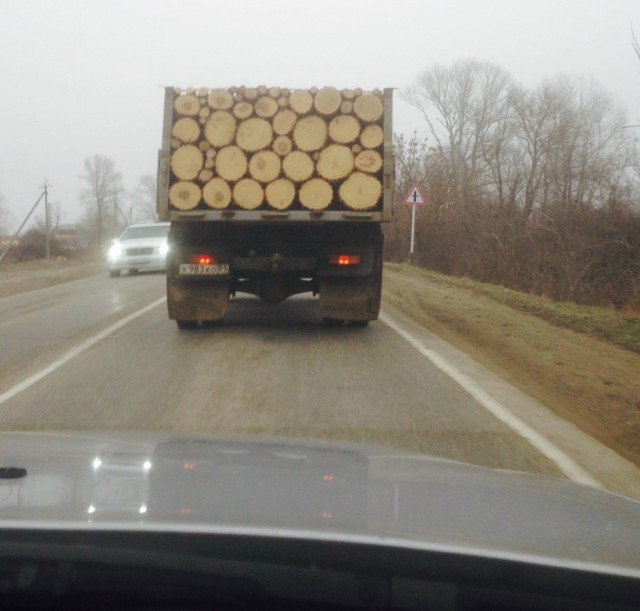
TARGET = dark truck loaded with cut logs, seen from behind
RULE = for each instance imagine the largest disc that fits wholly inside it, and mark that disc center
(275, 192)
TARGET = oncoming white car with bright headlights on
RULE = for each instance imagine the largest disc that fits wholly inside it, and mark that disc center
(141, 247)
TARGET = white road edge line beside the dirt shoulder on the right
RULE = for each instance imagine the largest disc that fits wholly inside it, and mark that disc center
(565, 463)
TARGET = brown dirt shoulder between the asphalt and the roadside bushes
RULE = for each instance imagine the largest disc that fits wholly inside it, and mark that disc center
(587, 381)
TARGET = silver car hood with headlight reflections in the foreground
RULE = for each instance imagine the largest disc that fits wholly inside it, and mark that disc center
(149, 481)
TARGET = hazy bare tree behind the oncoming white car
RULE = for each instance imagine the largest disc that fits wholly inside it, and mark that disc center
(103, 189)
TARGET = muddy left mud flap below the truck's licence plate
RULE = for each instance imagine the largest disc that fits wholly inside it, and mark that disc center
(190, 302)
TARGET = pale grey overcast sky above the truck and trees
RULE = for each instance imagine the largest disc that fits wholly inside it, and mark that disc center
(85, 77)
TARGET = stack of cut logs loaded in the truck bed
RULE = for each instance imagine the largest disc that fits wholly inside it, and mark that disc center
(252, 146)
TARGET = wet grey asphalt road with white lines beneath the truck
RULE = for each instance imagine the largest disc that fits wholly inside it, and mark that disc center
(100, 353)
